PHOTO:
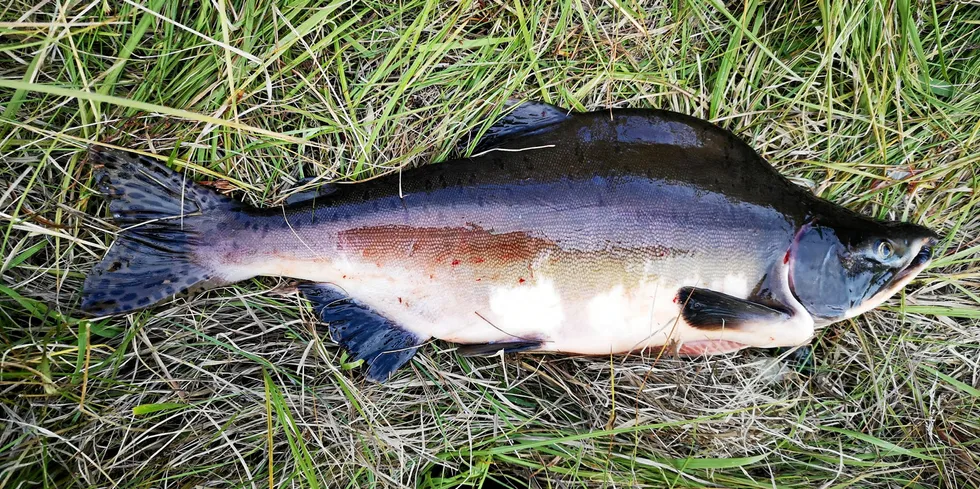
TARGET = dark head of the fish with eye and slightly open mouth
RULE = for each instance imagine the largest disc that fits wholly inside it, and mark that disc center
(842, 269)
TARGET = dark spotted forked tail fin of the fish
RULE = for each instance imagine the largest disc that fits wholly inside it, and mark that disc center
(163, 217)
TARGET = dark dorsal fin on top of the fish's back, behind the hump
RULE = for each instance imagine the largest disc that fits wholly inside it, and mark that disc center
(524, 118)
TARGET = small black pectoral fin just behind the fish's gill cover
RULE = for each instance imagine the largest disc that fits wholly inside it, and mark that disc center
(710, 310)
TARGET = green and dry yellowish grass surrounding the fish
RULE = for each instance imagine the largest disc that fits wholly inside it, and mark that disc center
(873, 104)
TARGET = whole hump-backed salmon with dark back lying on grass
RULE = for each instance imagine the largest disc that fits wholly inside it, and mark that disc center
(592, 233)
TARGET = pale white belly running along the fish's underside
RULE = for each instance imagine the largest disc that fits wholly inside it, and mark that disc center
(596, 322)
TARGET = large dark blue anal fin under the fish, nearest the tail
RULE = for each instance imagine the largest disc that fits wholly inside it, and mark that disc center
(367, 335)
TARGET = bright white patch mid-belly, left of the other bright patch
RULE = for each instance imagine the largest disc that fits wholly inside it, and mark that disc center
(528, 309)
